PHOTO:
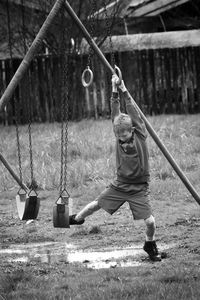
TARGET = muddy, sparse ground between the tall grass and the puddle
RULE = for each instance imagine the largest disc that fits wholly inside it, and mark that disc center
(178, 225)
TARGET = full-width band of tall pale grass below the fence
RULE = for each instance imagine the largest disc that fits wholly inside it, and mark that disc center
(91, 156)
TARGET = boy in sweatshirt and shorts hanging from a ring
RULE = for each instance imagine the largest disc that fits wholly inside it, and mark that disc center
(132, 181)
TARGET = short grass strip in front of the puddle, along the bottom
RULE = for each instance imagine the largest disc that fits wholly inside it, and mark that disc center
(79, 283)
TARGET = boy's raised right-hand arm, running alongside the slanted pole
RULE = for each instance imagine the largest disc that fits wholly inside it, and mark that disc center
(133, 112)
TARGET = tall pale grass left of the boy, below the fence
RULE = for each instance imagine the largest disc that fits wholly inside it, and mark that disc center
(89, 158)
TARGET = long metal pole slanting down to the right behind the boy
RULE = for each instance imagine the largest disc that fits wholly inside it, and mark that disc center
(151, 131)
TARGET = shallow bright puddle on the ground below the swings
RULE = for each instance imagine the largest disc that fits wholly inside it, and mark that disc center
(64, 252)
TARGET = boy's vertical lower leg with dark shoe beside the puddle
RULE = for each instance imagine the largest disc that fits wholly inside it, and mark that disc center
(150, 244)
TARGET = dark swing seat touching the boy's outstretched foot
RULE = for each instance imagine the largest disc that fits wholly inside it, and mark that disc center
(61, 213)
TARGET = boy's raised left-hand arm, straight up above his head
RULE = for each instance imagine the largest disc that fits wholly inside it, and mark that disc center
(114, 101)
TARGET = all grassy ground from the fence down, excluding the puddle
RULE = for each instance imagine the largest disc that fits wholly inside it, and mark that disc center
(91, 166)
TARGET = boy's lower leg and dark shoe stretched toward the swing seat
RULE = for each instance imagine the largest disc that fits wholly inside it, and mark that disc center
(89, 209)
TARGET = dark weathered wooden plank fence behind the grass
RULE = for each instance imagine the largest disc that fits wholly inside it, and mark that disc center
(161, 81)
